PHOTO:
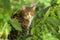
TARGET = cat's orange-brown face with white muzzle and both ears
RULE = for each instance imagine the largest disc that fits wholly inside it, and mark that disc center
(28, 12)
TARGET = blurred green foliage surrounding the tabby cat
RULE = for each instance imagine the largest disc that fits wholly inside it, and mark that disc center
(45, 25)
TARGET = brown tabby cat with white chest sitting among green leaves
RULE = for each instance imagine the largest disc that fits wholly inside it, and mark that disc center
(25, 17)
